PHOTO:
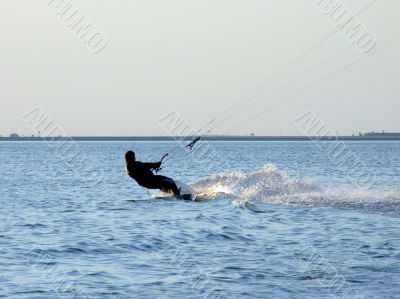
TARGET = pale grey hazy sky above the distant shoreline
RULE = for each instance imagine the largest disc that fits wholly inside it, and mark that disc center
(197, 59)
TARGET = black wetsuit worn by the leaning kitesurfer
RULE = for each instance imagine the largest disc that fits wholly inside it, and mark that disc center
(142, 174)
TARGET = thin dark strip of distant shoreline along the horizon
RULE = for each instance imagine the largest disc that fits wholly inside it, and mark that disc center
(207, 138)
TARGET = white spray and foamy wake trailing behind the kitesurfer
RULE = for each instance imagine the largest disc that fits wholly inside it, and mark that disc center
(268, 185)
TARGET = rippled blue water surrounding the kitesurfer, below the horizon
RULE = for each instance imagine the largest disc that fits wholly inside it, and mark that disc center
(274, 220)
